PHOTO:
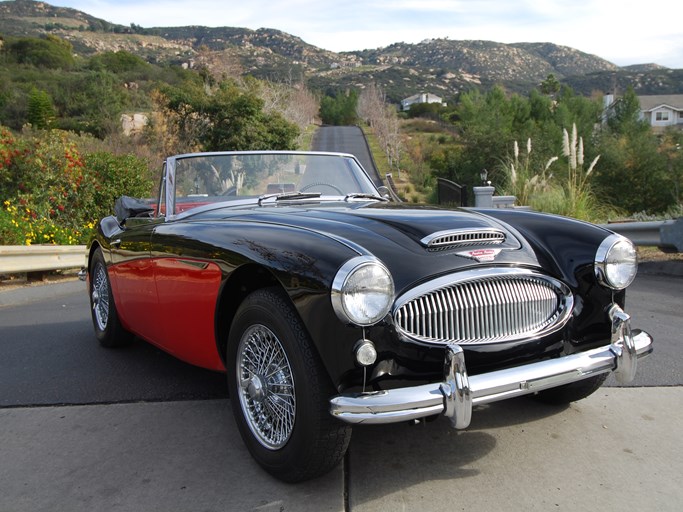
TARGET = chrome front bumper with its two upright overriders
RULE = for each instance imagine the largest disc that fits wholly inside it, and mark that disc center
(458, 393)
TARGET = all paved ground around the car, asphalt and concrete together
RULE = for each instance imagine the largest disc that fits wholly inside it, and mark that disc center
(149, 438)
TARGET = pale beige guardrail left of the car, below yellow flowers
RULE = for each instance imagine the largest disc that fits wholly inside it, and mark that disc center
(15, 259)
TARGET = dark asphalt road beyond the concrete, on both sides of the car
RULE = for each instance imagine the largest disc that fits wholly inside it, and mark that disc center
(49, 355)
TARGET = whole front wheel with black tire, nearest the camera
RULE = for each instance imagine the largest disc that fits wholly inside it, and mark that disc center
(280, 391)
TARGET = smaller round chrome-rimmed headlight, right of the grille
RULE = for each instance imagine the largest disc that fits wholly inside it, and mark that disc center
(616, 262)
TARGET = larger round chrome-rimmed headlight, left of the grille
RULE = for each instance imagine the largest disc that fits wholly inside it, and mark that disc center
(362, 291)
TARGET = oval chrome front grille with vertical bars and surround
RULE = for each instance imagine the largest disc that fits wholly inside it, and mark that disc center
(483, 306)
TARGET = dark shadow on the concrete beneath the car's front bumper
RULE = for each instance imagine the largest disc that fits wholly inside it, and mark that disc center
(426, 453)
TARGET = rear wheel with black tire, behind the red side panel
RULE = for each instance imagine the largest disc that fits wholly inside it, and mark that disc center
(108, 329)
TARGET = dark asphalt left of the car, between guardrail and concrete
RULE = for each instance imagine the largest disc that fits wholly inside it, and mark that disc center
(48, 355)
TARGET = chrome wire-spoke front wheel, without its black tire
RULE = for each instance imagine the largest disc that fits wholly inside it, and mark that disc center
(266, 387)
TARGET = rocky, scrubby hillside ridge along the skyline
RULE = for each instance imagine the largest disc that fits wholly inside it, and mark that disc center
(441, 66)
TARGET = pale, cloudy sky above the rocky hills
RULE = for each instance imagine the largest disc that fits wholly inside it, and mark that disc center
(622, 31)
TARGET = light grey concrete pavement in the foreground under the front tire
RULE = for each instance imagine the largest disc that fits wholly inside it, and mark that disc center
(620, 449)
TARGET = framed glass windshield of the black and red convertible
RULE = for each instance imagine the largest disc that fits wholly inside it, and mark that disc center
(209, 177)
